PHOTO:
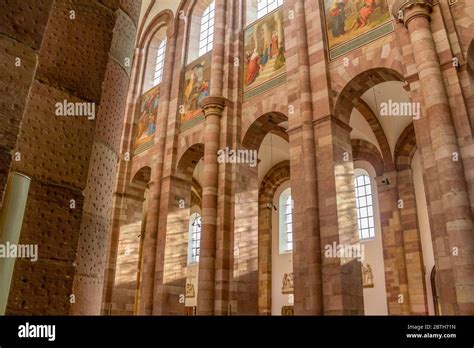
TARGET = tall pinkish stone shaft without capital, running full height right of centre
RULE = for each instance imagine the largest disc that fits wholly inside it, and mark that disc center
(307, 243)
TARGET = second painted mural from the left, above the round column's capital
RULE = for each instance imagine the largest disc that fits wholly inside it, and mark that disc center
(196, 87)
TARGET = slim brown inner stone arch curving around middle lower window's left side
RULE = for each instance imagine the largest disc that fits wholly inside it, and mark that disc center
(270, 183)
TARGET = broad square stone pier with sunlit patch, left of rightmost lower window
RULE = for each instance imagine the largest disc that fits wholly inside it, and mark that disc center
(342, 278)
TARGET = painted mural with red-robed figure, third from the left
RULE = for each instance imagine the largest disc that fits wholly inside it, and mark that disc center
(264, 50)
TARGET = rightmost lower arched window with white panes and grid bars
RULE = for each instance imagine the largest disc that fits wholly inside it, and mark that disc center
(365, 208)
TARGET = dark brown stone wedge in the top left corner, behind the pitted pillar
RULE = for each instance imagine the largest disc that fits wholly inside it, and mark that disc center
(20, 41)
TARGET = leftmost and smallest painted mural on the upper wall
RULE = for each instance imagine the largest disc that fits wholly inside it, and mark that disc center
(146, 125)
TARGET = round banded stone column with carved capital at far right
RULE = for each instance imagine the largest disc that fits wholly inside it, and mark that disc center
(452, 182)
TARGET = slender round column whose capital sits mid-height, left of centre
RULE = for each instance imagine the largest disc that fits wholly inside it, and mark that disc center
(213, 108)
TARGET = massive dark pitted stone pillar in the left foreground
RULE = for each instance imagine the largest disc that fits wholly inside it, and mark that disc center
(73, 61)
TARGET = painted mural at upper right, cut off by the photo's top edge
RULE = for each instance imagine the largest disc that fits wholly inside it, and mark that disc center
(353, 23)
